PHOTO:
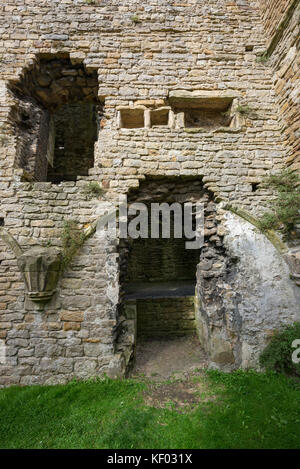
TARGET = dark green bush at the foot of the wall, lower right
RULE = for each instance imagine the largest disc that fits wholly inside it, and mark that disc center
(277, 356)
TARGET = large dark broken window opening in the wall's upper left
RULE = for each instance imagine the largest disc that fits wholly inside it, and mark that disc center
(55, 117)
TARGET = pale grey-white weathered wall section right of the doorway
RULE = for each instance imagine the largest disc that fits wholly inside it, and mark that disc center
(257, 298)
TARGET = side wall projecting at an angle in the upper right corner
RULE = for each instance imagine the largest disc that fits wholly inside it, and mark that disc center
(281, 26)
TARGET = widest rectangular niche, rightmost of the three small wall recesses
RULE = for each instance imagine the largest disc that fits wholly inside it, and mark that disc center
(209, 110)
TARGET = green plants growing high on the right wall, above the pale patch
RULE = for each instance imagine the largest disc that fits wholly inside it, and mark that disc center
(285, 207)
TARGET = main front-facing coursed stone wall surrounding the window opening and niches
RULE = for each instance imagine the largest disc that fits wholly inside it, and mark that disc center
(142, 52)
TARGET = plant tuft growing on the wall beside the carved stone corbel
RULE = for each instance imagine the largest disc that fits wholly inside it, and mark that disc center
(72, 239)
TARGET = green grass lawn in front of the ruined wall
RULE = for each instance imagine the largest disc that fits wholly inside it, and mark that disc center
(251, 410)
